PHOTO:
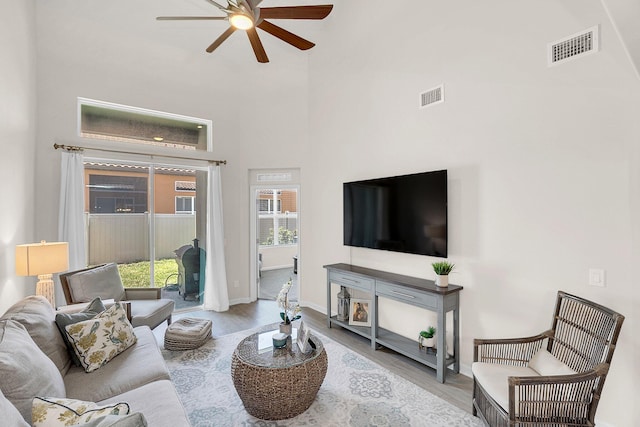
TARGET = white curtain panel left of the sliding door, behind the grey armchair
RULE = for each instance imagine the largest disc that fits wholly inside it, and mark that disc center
(71, 214)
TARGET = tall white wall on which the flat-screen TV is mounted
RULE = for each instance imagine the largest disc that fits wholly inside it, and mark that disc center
(542, 161)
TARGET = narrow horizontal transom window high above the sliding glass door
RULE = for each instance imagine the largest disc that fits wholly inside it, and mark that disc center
(103, 120)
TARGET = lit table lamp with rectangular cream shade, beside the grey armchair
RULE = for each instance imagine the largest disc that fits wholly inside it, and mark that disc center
(42, 260)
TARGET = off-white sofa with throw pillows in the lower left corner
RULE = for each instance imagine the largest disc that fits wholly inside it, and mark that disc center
(34, 361)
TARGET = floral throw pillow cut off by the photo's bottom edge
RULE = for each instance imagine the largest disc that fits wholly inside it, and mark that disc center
(54, 412)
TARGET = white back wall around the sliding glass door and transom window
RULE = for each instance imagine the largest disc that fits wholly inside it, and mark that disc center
(115, 51)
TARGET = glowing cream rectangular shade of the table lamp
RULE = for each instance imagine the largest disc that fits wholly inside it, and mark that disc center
(42, 258)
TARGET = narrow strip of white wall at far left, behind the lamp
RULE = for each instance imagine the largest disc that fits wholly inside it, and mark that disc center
(17, 140)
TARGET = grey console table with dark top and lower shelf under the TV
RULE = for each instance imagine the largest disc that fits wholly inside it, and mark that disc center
(410, 290)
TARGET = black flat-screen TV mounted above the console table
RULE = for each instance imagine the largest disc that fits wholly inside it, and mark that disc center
(405, 213)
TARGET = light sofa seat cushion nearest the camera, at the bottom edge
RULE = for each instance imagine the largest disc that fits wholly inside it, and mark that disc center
(163, 410)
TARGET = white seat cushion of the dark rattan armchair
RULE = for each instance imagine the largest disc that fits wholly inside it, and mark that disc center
(494, 379)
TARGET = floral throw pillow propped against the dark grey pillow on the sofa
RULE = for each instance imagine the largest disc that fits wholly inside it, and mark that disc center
(96, 341)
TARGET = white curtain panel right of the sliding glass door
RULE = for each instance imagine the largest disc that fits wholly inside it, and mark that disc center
(216, 295)
